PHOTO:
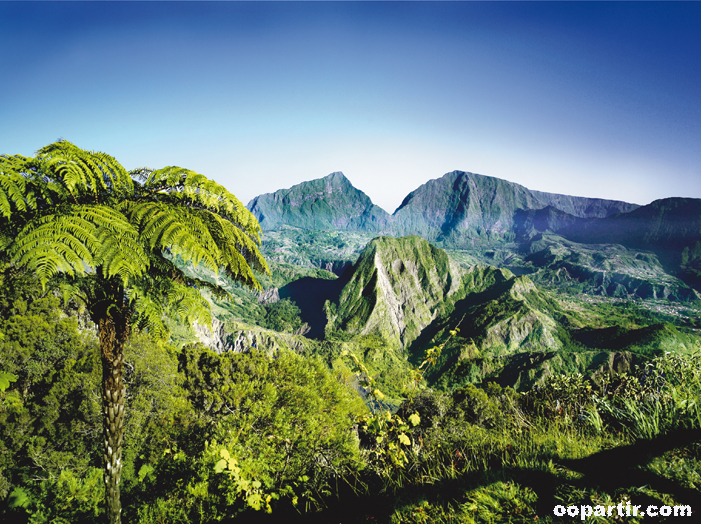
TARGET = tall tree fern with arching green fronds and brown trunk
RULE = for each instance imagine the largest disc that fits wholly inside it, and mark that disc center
(108, 236)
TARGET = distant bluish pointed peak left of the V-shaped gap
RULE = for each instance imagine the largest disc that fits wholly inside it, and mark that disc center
(329, 203)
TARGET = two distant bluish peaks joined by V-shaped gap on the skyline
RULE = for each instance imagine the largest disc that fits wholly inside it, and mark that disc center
(458, 205)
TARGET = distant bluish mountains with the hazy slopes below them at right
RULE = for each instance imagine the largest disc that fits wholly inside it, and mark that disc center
(610, 247)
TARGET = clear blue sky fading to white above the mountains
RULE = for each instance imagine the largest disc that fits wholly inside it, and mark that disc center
(592, 99)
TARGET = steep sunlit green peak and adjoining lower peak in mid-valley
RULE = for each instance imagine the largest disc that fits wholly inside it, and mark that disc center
(411, 294)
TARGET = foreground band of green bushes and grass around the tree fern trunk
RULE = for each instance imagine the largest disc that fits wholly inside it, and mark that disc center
(211, 437)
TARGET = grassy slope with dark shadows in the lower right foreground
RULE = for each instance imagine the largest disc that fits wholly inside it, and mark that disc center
(641, 444)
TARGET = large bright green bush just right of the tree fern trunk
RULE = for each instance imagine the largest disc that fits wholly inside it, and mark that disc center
(283, 422)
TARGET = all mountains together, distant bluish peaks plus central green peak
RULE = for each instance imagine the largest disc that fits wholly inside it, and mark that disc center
(537, 283)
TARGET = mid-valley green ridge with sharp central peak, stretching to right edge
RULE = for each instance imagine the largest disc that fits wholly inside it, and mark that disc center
(404, 295)
